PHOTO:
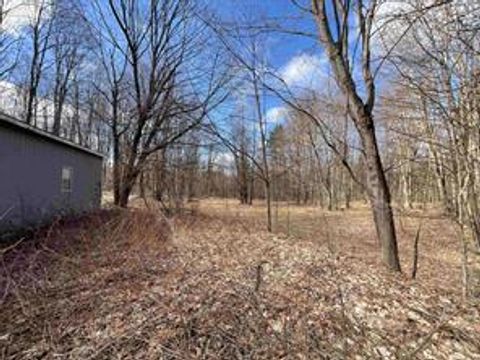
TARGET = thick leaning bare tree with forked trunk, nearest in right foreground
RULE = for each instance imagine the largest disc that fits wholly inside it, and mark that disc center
(334, 19)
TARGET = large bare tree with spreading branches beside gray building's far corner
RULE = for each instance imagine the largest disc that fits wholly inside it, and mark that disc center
(161, 42)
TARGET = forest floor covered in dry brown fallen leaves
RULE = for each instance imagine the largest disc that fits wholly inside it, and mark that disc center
(211, 283)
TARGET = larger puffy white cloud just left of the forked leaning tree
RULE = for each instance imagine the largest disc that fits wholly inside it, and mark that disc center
(305, 71)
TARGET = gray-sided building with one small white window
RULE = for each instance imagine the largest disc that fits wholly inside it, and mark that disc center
(43, 176)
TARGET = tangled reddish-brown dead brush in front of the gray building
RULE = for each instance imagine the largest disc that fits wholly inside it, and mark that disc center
(63, 272)
